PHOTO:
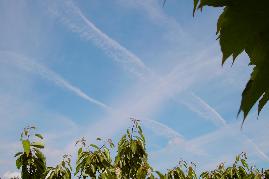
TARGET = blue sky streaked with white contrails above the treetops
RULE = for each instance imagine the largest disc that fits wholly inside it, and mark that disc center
(83, 68)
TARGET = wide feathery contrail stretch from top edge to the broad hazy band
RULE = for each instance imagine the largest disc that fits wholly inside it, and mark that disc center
(74, 19)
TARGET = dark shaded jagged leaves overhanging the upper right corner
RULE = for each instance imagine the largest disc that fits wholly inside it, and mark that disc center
(243, 26)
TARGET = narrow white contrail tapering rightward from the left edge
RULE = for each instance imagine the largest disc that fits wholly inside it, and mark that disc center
(33, 67)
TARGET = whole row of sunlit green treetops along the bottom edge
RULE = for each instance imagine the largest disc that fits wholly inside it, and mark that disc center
(131, 161)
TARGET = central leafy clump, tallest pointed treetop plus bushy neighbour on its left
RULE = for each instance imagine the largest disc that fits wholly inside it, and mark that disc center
(130, 161)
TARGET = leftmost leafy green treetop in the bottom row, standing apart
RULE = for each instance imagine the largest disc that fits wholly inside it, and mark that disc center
(31, 160)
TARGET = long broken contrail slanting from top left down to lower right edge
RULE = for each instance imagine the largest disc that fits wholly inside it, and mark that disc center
(77, 22)
